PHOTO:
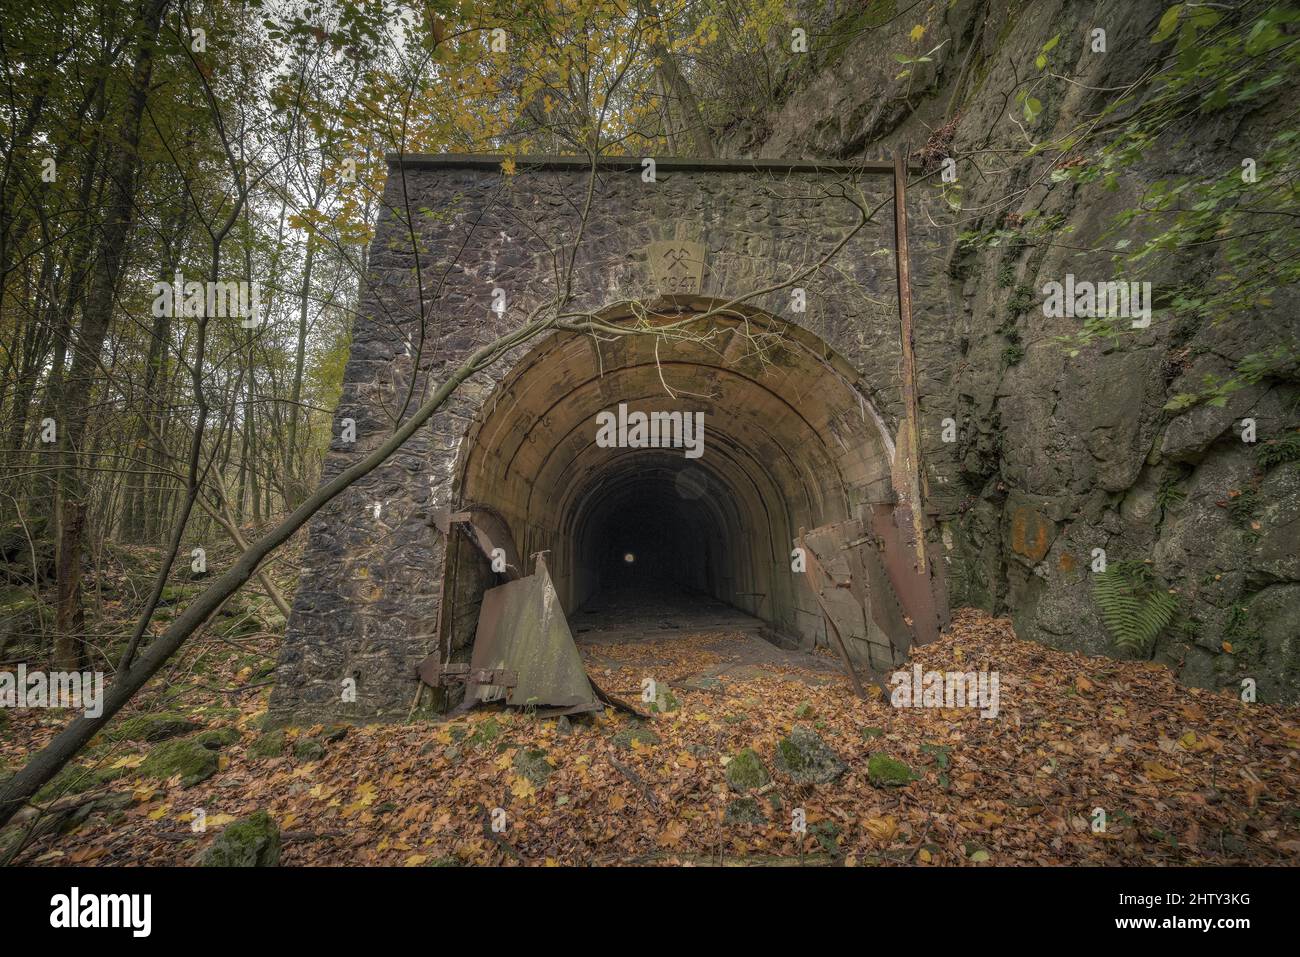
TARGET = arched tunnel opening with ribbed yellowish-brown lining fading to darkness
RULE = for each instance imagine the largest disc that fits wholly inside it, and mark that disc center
(790, 441)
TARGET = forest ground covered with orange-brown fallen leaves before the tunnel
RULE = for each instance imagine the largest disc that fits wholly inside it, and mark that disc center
(1184, 776)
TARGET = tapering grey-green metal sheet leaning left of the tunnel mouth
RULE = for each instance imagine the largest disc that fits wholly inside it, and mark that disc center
(523, 631)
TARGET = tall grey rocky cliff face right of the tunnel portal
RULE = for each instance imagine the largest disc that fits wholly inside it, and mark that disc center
(1059, 454)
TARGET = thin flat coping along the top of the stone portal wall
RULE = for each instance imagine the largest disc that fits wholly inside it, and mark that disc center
(634, 163)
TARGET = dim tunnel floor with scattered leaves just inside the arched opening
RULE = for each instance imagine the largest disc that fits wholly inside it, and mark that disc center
(686, 639)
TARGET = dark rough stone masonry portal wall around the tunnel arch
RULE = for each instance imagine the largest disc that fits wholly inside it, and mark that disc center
(369, 604)
